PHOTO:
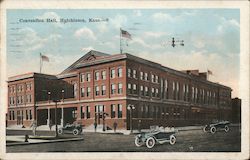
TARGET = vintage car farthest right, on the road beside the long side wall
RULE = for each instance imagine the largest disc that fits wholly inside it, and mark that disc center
(213, 127)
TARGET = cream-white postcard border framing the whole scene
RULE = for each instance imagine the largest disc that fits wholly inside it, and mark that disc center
(244, 75)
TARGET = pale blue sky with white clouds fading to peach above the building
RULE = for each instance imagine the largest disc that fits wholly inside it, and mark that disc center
(211, 39)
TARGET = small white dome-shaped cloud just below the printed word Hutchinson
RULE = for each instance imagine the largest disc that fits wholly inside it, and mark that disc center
(85, 33)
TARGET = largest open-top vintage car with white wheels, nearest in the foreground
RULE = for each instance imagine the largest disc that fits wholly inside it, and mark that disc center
(153, 137)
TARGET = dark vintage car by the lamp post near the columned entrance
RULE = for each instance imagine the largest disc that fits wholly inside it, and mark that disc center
(75, 129)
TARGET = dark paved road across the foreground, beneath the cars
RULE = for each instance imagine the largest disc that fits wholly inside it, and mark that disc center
(187, 141)
